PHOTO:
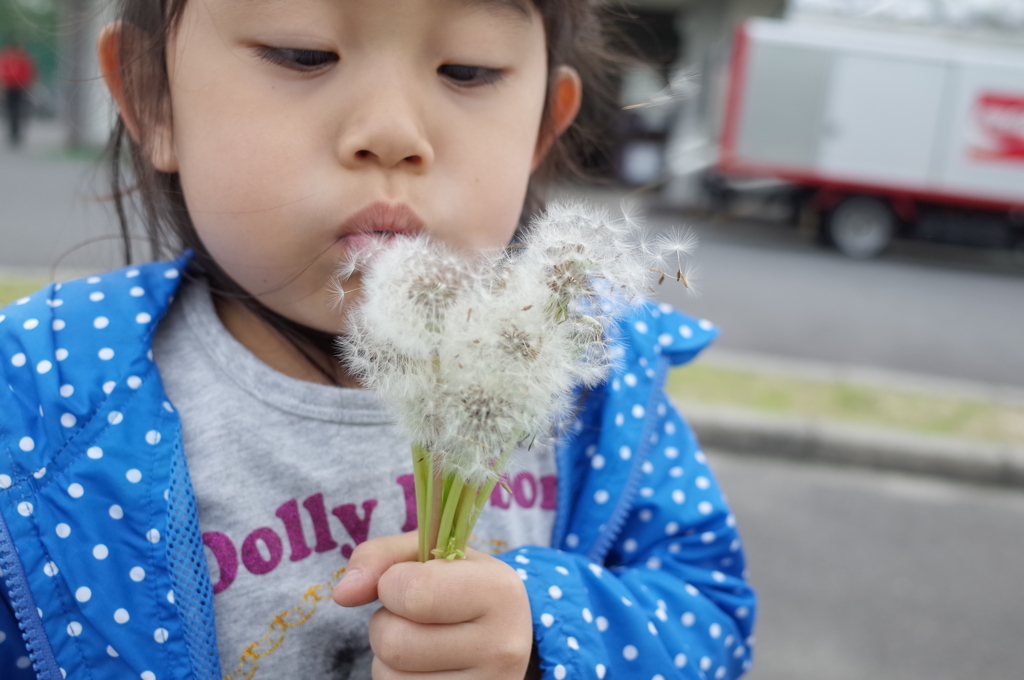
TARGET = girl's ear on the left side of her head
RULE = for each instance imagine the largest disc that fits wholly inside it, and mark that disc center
(160, 146)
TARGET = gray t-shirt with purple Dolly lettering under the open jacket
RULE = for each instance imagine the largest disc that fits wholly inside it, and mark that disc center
(291, 476)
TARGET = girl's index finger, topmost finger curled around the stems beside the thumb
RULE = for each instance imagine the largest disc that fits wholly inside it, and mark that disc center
(444, 592)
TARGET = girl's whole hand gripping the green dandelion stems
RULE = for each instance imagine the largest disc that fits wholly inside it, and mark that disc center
(466, 619)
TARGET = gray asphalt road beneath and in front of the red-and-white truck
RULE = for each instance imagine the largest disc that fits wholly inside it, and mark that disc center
(923, 310)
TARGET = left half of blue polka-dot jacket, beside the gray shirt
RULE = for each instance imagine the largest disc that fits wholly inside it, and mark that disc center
(70, 368)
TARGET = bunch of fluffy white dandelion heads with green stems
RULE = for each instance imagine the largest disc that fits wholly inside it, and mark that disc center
(537, 322)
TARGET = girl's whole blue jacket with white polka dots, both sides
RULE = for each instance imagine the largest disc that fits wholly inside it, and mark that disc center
(639, 505)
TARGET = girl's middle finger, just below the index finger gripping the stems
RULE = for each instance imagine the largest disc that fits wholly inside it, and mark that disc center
(409, 648)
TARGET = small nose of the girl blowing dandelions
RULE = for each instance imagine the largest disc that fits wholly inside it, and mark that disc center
(386, 131)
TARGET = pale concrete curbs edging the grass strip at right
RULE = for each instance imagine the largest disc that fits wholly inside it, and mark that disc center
(728, 424)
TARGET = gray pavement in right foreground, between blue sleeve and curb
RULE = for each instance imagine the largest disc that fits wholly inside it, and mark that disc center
(868, 575)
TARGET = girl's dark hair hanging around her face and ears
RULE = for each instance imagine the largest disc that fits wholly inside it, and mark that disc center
(576, 36)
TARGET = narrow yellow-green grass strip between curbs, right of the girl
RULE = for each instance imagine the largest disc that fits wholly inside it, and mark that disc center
(938, 414)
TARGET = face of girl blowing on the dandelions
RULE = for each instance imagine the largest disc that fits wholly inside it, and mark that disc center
(290, 117)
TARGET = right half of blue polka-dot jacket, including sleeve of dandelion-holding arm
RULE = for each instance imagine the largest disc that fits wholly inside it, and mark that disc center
(672, 514)
